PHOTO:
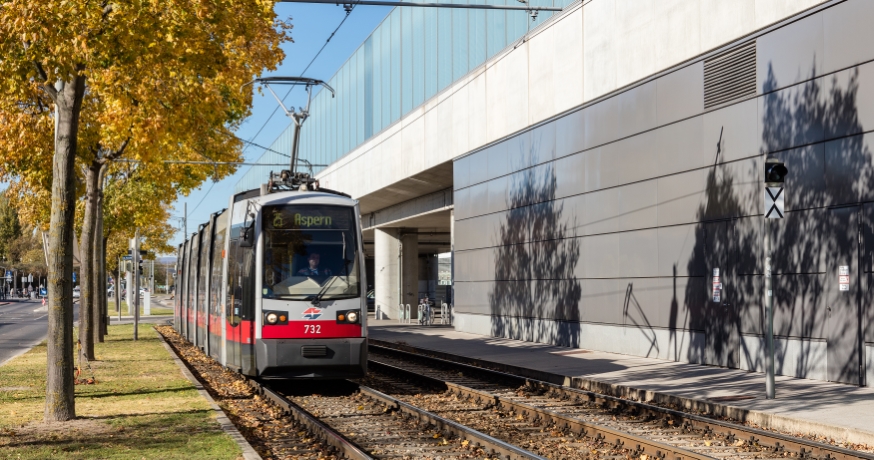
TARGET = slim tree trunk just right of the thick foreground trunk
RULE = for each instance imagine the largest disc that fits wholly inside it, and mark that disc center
(87, 307)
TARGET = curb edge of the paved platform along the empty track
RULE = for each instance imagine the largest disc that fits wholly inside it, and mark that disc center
(764, 420)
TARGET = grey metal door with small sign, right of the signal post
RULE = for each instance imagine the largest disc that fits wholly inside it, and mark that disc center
(843, 300)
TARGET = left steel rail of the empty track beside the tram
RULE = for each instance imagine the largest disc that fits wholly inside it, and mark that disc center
(617, 439)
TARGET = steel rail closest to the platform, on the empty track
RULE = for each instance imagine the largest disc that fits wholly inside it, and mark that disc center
(777, 443)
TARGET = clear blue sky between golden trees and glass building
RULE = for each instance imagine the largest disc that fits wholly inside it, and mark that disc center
(313, 25)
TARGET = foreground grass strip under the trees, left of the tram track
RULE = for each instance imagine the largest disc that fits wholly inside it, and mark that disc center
(141, 407)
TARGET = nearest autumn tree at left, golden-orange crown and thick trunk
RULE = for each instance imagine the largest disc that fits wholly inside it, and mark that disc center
(150, 80)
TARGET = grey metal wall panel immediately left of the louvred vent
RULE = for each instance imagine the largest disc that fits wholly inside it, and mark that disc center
(680, 94)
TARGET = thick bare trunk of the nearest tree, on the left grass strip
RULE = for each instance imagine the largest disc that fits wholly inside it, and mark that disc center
(60, 393)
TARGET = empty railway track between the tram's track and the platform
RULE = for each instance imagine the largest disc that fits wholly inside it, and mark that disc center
(633, 429)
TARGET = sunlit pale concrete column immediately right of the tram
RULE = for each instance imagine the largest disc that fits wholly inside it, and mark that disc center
(386, 284)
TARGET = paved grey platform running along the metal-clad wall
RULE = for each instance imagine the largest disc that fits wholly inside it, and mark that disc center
(843, 413)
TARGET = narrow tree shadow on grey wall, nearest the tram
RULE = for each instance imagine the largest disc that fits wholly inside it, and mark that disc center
(535, 296)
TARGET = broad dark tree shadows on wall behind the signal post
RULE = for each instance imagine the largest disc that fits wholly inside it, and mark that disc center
(806, 244)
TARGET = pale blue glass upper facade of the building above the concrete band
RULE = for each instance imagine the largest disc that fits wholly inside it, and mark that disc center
(411, 56)
